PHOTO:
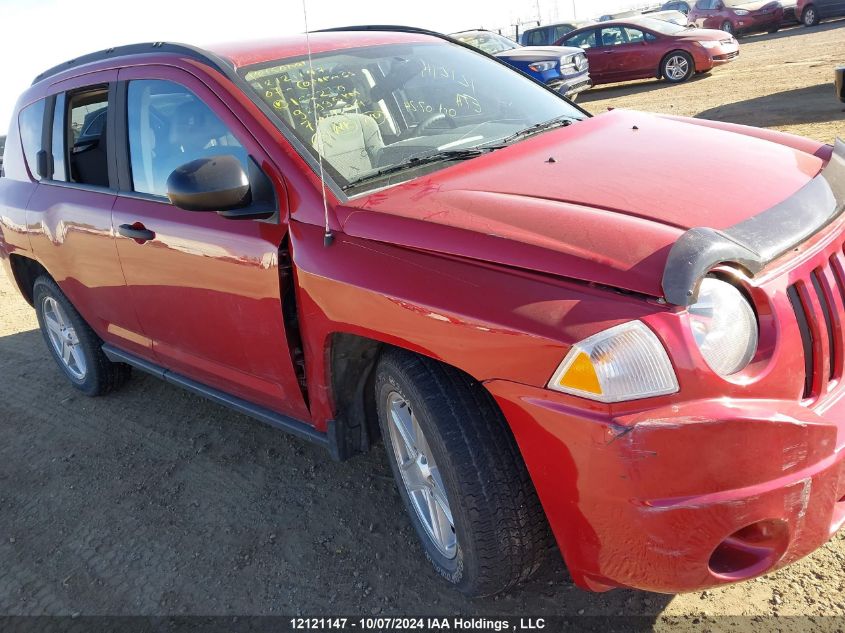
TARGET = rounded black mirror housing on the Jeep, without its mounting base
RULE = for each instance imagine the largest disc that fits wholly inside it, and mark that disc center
(218, 183)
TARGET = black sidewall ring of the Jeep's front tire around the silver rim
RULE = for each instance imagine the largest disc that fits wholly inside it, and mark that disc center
(389, 379)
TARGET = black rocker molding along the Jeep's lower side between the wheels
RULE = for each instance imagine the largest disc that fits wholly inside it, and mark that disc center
(290, 425)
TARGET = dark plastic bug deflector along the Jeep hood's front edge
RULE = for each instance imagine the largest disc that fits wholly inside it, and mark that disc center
(759, 240)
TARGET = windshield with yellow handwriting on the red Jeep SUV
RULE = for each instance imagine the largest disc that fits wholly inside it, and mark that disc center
(379, 107)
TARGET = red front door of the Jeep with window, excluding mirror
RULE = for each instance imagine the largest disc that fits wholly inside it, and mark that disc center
(206, 289)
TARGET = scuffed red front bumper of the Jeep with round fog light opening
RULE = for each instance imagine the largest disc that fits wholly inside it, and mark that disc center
(684, 497)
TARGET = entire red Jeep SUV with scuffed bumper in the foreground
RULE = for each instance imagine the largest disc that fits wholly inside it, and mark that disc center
(370, 241)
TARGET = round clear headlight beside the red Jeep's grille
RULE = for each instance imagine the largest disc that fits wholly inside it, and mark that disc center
(724, 326)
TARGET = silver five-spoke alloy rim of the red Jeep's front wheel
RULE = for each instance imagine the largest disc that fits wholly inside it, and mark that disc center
(421, 475)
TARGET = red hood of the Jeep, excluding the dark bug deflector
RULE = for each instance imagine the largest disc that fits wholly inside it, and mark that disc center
(601, 201)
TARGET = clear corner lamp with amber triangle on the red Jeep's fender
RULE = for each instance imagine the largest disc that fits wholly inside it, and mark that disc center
(626, 362)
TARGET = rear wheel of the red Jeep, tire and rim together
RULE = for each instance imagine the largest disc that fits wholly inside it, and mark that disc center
(69, 337)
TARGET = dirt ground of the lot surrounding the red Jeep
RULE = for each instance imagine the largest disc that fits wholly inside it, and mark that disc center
(153, 501)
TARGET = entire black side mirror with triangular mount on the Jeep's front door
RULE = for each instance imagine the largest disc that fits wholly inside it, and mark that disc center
(220, 184)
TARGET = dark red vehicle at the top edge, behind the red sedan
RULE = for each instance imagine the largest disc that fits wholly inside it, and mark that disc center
(737, 16)
